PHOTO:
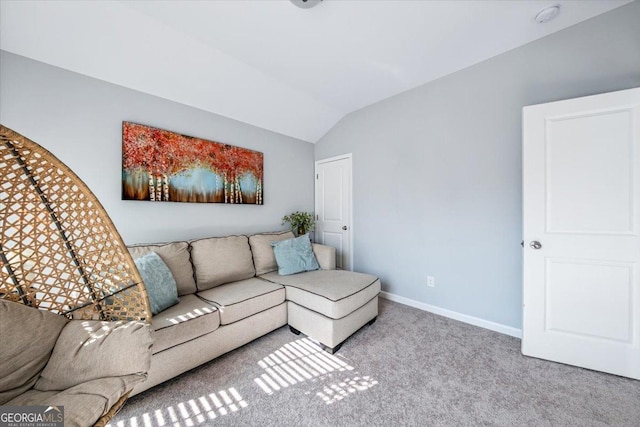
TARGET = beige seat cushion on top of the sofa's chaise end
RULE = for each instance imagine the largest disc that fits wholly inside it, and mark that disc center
(333, 293)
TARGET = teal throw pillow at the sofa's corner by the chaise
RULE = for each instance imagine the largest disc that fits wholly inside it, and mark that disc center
(294, 255)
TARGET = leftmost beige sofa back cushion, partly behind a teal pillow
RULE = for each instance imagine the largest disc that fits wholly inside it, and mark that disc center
(176, 256)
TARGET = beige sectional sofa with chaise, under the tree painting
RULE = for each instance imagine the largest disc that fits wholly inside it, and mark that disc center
(231, 293)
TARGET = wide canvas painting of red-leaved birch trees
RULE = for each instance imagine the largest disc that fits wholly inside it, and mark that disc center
(160, 165)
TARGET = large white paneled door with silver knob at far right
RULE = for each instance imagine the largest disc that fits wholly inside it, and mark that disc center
(581, 183)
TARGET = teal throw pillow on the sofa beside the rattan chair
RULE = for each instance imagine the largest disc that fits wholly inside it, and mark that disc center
(160, 284)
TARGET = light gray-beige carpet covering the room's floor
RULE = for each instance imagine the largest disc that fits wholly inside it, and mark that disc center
(408, 368)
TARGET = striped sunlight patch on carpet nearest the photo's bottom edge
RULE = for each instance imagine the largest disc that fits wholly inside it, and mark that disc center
(189, 412)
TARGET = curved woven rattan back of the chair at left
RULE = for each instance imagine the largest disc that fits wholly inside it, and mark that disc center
(59, 249)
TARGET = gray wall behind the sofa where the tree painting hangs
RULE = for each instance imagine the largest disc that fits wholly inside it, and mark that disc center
(79, 119)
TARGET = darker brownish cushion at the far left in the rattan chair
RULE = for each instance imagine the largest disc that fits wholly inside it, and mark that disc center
(27, 337)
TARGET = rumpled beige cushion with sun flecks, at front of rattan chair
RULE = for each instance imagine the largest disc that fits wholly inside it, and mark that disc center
(90, 349)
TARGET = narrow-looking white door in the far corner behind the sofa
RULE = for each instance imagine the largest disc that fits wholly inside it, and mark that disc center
(333, 208)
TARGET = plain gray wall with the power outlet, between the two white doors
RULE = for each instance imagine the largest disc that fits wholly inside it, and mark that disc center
(437, 170)
